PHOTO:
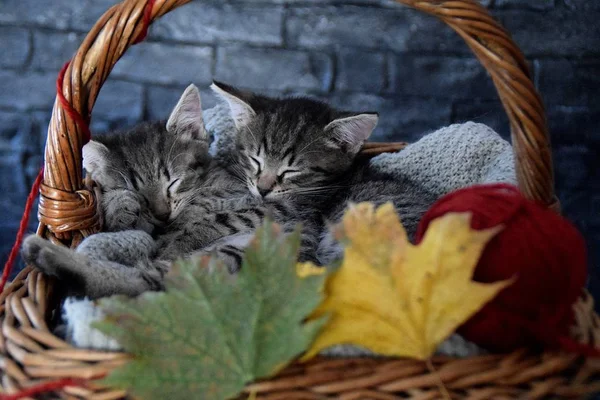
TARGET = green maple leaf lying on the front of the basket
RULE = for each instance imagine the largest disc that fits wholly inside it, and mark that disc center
(211, 333)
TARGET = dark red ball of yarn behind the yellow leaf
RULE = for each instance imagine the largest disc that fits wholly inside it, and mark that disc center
(545, 253)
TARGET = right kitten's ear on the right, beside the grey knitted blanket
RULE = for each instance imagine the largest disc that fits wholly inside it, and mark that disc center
(350, 133)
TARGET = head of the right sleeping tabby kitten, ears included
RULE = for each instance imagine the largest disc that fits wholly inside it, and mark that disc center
(289, 149)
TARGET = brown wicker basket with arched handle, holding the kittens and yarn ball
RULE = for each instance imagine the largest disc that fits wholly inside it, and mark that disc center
(31, 354)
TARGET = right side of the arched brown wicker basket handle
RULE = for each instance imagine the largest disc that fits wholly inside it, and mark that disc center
(506, 64)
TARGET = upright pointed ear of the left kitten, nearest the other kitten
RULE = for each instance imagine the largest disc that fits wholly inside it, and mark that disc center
(186, 118)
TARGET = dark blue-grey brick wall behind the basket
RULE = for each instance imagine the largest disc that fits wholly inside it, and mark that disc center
(358, 54)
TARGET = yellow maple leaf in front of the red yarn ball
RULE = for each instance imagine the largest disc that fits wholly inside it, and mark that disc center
(398, 299)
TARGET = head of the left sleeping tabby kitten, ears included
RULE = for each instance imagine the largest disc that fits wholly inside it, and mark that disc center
(149, 173)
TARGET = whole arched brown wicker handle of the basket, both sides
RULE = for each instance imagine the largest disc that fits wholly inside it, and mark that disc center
(68, 211)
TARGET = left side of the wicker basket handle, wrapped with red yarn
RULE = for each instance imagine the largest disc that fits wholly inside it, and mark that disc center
(68, 210)
